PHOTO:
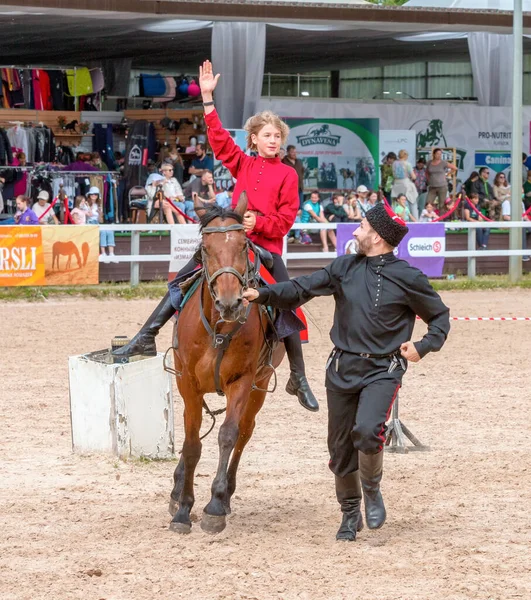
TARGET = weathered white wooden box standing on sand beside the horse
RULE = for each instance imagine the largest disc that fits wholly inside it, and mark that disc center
(123, 409)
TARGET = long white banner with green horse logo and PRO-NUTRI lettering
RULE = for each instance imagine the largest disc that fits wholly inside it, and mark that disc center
(467, 128)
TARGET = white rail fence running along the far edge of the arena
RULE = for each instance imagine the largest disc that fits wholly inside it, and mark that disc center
(135, 258)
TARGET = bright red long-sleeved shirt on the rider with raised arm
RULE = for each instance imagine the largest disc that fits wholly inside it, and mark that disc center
(272, 187)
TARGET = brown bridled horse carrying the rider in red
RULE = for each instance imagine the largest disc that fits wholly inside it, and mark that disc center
(215, 320)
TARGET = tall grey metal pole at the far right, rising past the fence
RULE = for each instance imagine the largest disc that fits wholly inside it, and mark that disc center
(515, 235)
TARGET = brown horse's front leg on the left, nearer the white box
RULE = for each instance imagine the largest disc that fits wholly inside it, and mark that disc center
(193, 415)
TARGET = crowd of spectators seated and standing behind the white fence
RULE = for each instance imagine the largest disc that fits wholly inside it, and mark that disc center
(417, 193)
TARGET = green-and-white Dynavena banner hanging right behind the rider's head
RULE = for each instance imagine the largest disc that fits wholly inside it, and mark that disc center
(337, 153)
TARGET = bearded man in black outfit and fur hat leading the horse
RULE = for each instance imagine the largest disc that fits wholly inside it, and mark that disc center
(377, 297)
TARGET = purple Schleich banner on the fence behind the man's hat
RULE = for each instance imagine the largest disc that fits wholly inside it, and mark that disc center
(423, 246)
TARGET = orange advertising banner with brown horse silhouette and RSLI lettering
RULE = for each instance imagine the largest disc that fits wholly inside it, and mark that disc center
(49, 255)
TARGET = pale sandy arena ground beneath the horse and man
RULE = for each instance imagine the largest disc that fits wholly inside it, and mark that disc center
(96, 528)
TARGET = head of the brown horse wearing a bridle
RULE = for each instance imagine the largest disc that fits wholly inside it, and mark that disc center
(224, 249)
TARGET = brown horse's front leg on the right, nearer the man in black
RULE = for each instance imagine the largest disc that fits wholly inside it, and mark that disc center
(214, 514)
